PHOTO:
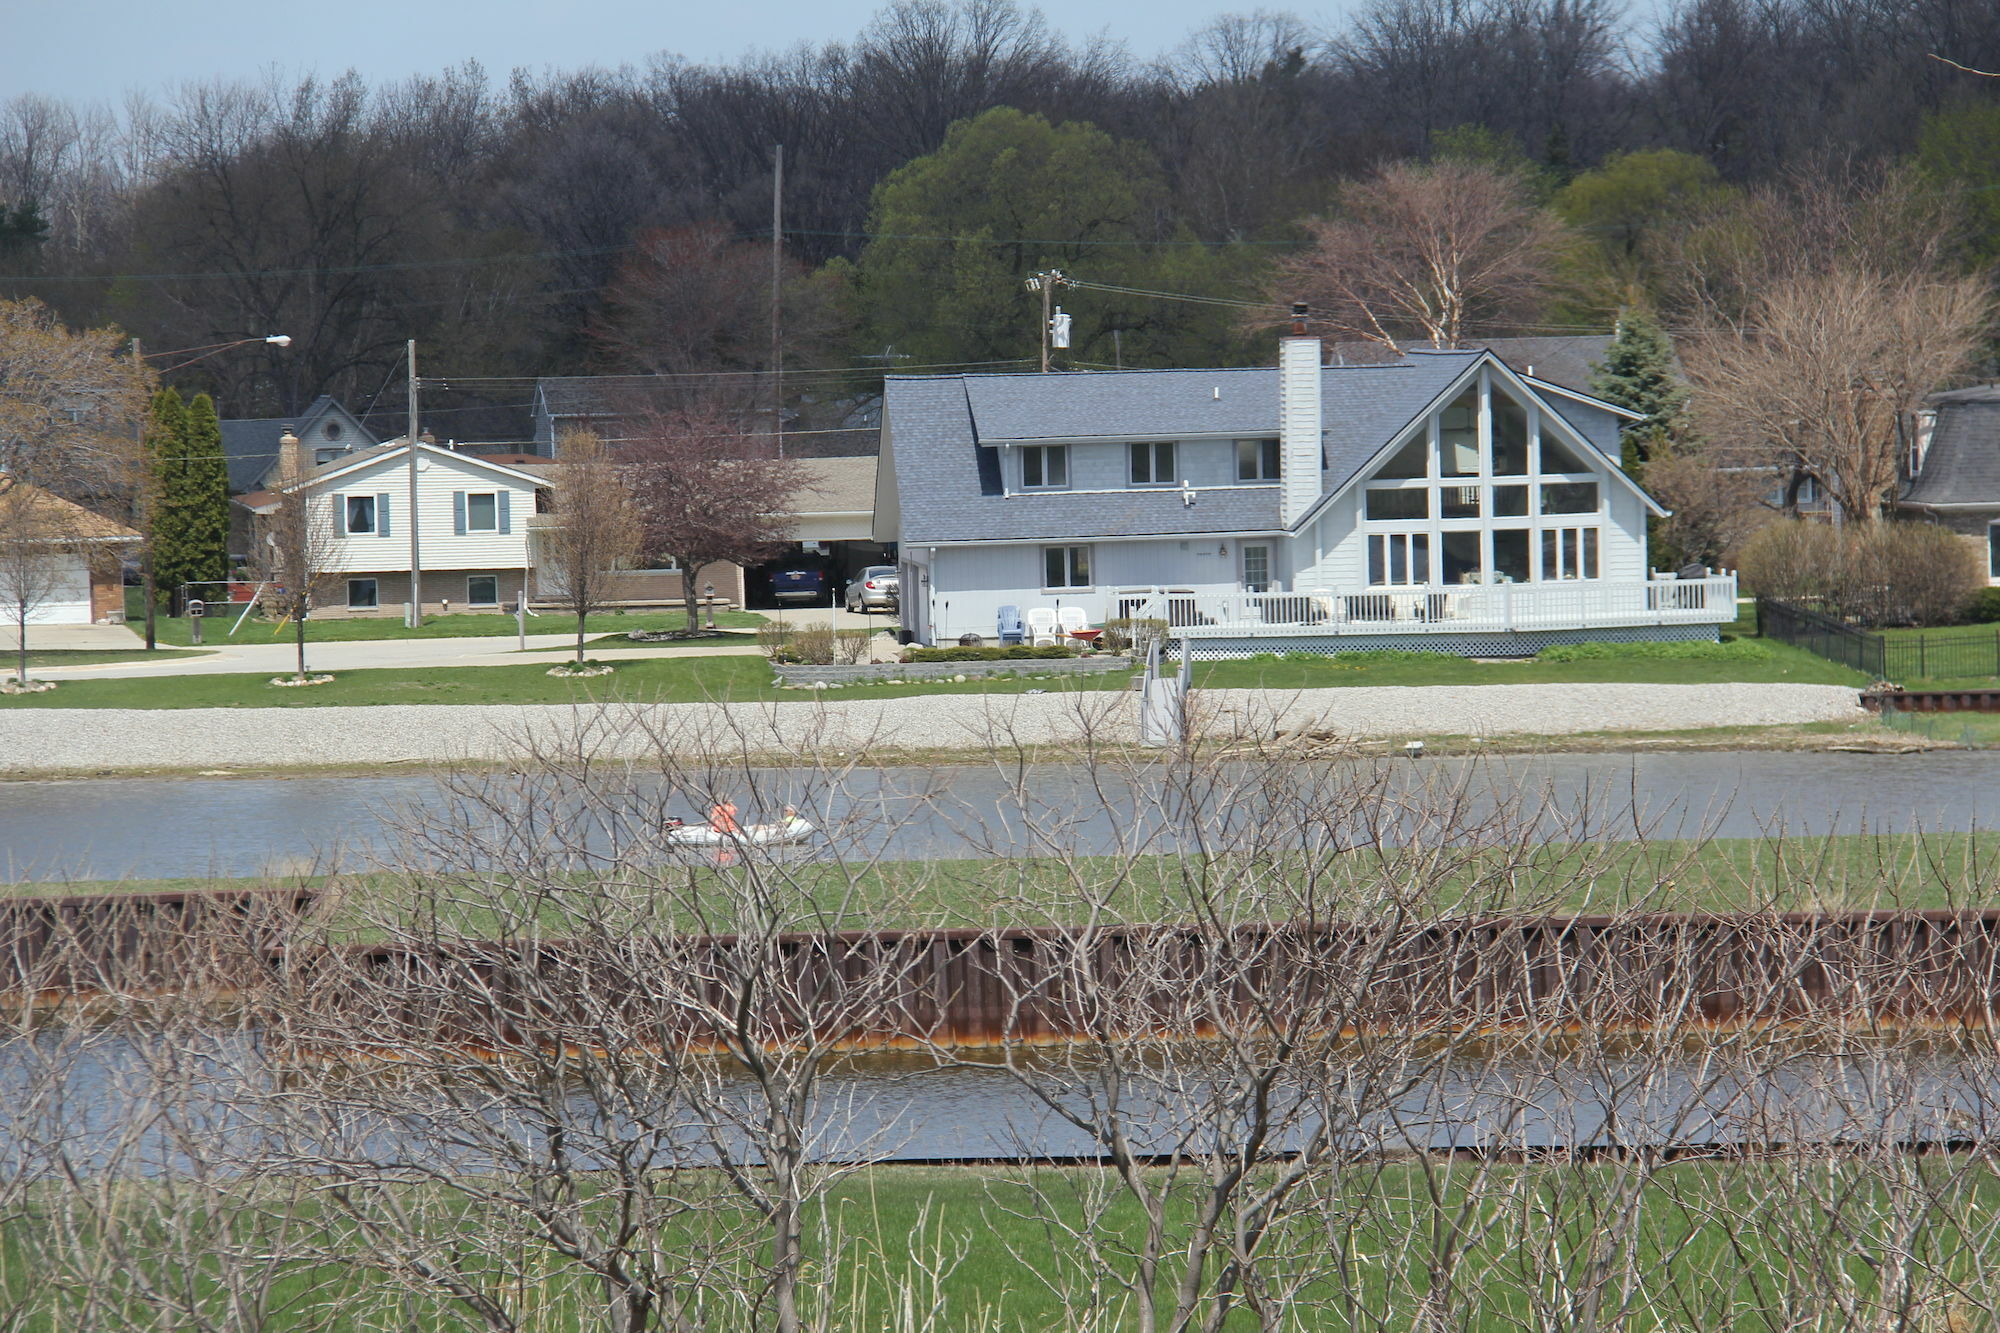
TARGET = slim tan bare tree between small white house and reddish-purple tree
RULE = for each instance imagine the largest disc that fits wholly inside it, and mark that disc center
(593, 529)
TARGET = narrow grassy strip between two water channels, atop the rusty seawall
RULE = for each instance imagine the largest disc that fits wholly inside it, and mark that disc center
(1837, 874)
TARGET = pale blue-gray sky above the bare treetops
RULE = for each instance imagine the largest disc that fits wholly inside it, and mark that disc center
(99, 49)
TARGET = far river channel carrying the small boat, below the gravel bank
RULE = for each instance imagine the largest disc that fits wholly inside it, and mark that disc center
(231, 828)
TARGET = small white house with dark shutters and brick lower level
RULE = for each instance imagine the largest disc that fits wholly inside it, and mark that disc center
(473, 521)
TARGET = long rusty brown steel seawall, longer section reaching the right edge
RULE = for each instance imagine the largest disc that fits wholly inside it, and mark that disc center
(865, 990)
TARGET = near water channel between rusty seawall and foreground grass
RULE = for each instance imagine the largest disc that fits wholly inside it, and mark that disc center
(155, 1104)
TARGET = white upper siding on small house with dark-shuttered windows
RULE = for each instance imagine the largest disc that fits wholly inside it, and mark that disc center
(443, 547)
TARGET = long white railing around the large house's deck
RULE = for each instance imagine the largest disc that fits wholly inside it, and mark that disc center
(1463, 609)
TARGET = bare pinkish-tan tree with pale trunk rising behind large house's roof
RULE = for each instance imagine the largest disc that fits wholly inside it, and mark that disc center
(1425, 253)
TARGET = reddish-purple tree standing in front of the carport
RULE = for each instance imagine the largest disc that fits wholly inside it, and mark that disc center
(707, 491)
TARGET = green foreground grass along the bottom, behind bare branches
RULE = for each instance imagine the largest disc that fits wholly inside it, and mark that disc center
(979, 1250)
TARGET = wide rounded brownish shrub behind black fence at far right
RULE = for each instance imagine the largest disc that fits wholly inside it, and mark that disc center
(1887, 573)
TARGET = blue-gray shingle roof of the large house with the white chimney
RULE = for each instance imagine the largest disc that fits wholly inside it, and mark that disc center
(939, 425)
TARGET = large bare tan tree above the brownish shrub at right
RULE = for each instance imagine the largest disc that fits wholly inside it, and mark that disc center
(1825, 371)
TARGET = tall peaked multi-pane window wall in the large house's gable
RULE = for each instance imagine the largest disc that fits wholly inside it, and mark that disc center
(1483, 493)
